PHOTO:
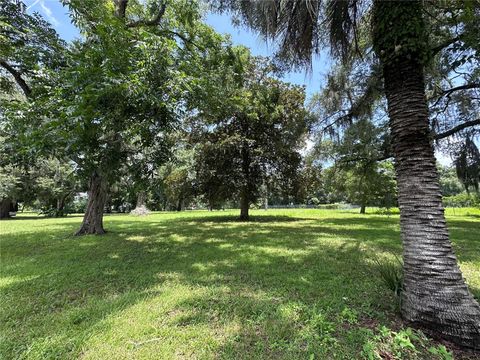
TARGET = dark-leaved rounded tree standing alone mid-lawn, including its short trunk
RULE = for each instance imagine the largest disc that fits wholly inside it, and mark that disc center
(253, 137)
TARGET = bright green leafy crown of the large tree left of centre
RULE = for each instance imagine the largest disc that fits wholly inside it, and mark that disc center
(125, 84)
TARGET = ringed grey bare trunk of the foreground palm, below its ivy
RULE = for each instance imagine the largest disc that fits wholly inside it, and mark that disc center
(435, 295)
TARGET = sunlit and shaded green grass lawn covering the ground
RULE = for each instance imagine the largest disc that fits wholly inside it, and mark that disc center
(290, 284)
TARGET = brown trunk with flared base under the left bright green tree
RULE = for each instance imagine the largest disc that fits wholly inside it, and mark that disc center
(93, 218)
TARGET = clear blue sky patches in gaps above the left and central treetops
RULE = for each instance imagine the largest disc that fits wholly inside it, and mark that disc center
(57, 15)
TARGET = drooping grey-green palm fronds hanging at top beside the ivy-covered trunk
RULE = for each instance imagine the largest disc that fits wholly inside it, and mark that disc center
(300, 27)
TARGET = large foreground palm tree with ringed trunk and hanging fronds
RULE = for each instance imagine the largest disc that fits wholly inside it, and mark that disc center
(435, 296)
